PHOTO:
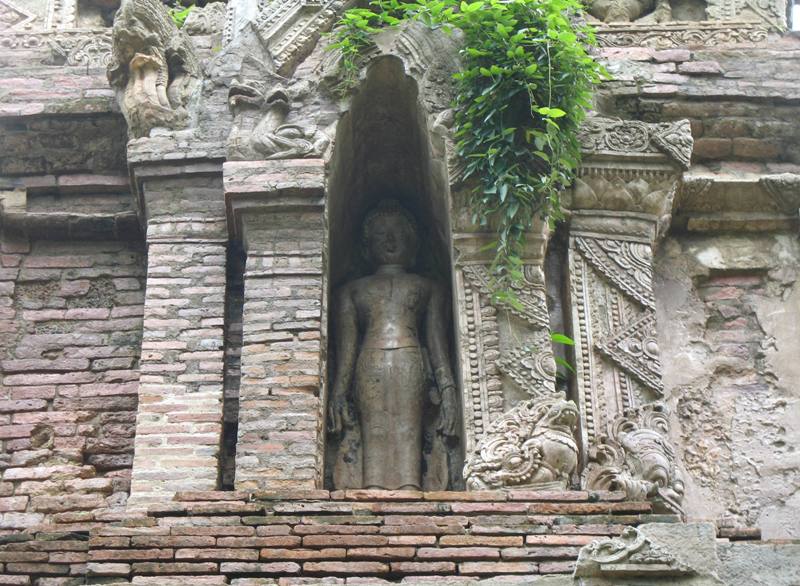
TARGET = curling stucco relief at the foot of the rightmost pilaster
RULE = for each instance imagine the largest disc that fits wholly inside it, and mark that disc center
(638, 458)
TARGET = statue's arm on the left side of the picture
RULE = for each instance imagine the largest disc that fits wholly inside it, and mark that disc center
(346, 340)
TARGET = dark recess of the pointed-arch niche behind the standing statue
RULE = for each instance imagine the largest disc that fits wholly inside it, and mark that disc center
(383, 150)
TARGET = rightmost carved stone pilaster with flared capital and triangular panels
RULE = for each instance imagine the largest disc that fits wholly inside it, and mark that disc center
(621, 201)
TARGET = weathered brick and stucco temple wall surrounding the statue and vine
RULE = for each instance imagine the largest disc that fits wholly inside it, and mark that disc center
(171, 253)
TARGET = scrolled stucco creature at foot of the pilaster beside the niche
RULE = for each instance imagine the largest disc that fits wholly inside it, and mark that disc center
(533, 445)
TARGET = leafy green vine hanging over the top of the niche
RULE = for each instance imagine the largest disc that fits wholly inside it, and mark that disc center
(526, 84)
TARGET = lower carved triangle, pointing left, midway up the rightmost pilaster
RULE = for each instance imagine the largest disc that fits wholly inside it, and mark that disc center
(635, 350)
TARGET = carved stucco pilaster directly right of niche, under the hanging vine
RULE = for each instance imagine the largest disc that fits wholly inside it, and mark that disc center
(508, 370)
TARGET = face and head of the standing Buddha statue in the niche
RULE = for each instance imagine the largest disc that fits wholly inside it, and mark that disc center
(390, 238)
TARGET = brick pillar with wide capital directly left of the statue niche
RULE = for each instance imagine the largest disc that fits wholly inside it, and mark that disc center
(280, 433)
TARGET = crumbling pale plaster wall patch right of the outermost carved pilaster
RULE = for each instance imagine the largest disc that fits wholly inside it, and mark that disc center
(728, 320)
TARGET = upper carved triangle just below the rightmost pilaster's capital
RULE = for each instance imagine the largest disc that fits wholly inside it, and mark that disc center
(628, 265)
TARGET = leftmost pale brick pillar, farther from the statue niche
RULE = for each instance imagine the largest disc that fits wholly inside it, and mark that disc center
(179, 421)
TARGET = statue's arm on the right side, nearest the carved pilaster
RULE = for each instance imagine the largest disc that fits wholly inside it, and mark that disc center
(435, 328)
